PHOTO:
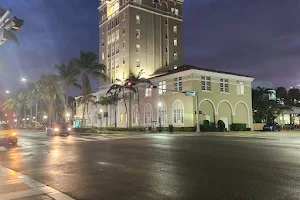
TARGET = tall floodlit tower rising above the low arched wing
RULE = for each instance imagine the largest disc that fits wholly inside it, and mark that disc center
(140, 34)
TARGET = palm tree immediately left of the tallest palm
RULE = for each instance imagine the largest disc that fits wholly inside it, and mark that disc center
(68, 74)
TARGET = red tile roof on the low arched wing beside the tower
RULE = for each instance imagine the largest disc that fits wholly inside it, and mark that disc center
(167, 70)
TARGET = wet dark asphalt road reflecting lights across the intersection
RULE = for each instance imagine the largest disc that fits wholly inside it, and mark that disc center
(162, 166)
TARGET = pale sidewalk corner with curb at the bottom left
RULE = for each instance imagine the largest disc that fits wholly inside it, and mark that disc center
(16, 186)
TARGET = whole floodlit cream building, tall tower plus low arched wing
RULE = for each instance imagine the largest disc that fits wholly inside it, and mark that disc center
(147, 34)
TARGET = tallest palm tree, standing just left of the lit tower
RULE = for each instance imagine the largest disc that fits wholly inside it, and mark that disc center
(87, 65)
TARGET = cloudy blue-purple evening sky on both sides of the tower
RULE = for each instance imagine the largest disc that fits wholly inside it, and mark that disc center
(260, 38)
